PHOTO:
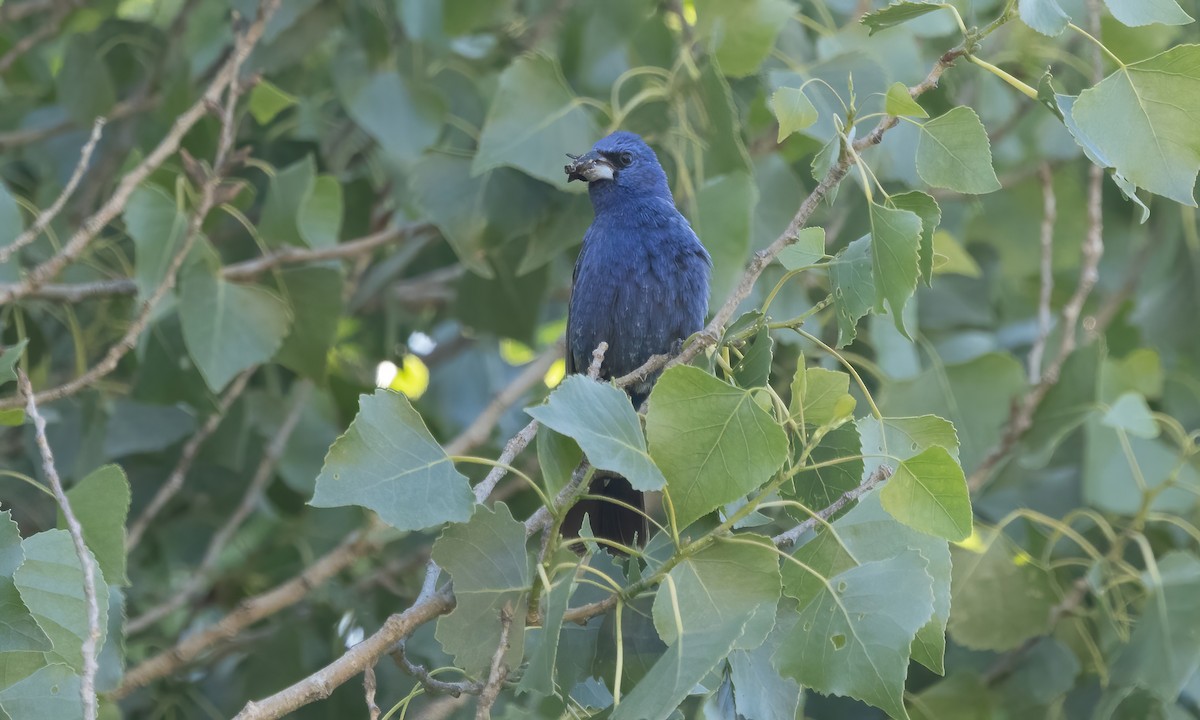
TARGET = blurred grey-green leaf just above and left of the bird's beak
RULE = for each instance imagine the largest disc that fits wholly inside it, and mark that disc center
(533, 121)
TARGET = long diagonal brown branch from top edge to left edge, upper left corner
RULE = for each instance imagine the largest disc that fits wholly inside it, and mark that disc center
(166, 148)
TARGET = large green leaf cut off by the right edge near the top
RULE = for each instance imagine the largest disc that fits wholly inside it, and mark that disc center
(1141, 119)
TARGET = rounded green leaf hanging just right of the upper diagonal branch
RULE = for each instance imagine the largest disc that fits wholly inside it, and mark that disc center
(955, 153)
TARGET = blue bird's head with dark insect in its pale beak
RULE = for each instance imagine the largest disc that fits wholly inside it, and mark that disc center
(621, 161)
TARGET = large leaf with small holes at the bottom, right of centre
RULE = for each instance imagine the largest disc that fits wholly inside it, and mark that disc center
(854, 637)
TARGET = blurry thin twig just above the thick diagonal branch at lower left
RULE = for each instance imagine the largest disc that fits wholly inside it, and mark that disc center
(201, 578)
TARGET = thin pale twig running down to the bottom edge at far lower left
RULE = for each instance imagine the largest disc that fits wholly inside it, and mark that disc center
(92, 641)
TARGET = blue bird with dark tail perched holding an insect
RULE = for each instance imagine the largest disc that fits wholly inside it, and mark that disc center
(640, 285)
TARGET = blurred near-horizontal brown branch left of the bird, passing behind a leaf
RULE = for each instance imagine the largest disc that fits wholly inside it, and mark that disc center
(244, 271)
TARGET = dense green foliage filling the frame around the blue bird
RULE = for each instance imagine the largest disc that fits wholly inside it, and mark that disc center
(399, 166)
